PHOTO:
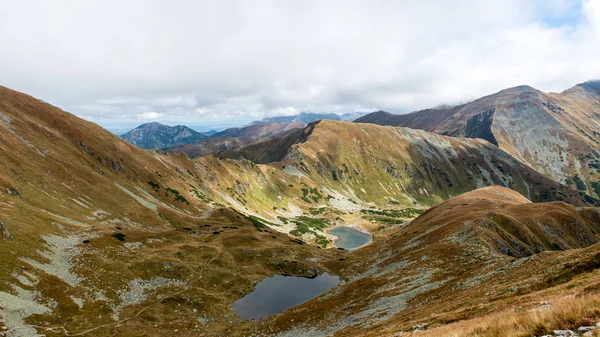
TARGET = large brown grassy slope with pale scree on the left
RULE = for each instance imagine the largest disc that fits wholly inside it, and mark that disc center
(89, 247)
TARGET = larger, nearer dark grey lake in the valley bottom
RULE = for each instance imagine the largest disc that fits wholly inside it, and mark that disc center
(275, 294)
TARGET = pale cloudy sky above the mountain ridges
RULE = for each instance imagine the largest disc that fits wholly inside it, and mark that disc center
(133, 61)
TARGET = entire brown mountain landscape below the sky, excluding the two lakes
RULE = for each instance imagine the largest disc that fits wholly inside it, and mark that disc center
(477, 229)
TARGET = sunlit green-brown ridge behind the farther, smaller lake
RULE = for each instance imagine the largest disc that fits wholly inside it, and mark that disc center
(354, 166)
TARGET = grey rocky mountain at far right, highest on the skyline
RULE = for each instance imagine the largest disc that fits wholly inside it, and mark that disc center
(564, 146)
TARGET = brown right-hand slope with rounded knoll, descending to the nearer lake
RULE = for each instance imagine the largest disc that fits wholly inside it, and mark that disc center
(458, 262)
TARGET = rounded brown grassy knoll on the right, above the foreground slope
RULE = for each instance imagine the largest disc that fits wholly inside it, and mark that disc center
(512, 224)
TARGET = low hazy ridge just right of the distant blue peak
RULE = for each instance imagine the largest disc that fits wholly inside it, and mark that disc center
(235, 138)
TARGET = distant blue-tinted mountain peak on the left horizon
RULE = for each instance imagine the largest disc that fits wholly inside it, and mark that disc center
(159, 136)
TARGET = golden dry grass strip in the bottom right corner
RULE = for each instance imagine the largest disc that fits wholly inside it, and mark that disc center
(567, 312)
